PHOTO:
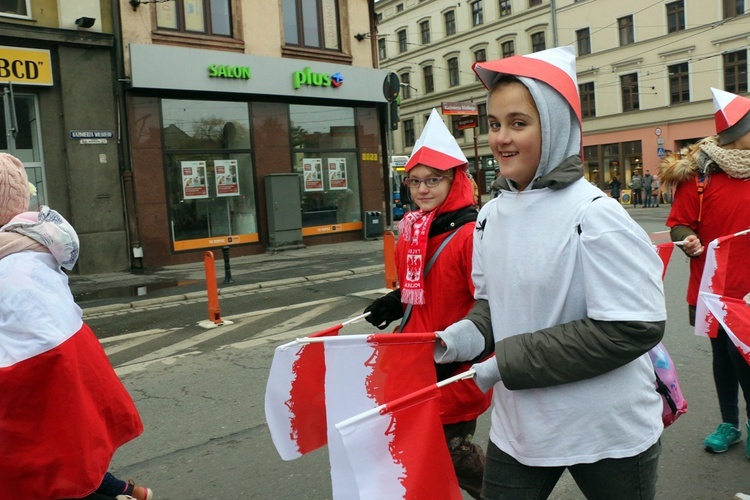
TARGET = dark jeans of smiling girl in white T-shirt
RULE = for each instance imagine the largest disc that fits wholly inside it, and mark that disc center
(632, 478)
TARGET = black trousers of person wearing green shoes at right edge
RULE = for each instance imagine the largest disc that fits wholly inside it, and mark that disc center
(731, 372)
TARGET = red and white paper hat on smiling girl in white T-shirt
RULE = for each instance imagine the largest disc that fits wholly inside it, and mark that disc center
(555, 67)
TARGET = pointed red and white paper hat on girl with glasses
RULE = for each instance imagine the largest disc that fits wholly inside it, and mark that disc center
(436, 147)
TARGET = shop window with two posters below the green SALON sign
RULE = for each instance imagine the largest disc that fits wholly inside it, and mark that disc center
(209, 173)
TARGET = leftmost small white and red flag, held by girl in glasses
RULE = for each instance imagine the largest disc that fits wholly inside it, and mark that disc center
(295, 397)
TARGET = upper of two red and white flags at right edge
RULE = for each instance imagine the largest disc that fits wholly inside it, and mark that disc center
(724, 274)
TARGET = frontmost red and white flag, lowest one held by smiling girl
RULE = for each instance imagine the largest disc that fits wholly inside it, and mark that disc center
(400, 451)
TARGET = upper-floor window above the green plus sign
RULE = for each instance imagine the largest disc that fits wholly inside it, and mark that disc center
(311, 23)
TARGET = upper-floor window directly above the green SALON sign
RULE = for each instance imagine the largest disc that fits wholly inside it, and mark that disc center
(211, 17)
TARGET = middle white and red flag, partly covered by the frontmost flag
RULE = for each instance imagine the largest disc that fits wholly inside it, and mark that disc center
(364, 372)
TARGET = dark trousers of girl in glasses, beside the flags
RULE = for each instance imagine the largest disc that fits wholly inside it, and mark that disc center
(468, 458)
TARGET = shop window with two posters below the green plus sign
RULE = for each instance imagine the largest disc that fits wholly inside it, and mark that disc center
(324, 154)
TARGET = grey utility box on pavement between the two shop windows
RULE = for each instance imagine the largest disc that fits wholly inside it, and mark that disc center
(284, 206)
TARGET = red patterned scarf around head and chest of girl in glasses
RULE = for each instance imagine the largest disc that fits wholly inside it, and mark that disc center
(415, 229)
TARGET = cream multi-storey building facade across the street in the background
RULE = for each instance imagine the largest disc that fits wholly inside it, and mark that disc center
(701, 44)
